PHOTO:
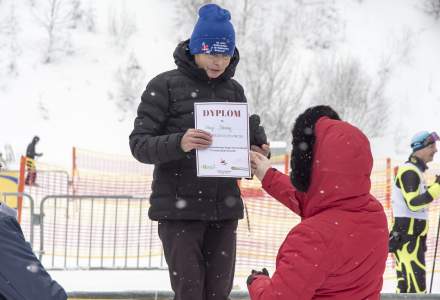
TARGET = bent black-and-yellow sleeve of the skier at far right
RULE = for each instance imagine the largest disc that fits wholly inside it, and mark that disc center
(415, 200)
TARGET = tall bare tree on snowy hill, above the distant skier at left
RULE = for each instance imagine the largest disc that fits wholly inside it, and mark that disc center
(55, 17)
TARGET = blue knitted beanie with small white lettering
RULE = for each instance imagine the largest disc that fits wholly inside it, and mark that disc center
(213, 33)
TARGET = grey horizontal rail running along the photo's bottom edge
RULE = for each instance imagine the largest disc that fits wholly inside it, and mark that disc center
(161, 295)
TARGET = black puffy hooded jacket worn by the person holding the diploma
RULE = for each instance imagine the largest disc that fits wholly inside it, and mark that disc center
(166, 111)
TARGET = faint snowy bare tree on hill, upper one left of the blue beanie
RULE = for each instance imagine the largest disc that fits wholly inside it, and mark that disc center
(121, 26)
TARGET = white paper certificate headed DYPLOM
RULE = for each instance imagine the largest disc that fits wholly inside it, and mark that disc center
(228, 155)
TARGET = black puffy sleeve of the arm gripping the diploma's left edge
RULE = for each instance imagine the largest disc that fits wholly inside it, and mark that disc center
(148, 143)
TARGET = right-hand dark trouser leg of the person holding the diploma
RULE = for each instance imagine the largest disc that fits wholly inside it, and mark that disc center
(219, 251)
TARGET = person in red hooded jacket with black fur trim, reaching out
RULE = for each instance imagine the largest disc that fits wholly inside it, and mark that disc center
(339, 249)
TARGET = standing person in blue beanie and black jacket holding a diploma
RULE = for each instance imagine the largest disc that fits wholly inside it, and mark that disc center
(197, 216)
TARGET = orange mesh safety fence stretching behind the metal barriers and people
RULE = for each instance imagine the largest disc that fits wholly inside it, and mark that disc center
(266, 221)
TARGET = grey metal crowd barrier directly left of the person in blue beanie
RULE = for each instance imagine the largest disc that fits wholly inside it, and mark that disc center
(98, 232)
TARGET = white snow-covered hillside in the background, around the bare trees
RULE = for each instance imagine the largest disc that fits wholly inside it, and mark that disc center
(72, 100)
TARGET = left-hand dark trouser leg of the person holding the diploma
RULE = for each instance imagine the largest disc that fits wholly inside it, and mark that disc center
(182, 244)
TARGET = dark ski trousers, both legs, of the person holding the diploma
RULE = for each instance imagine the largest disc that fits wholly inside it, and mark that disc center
(200, 257)
